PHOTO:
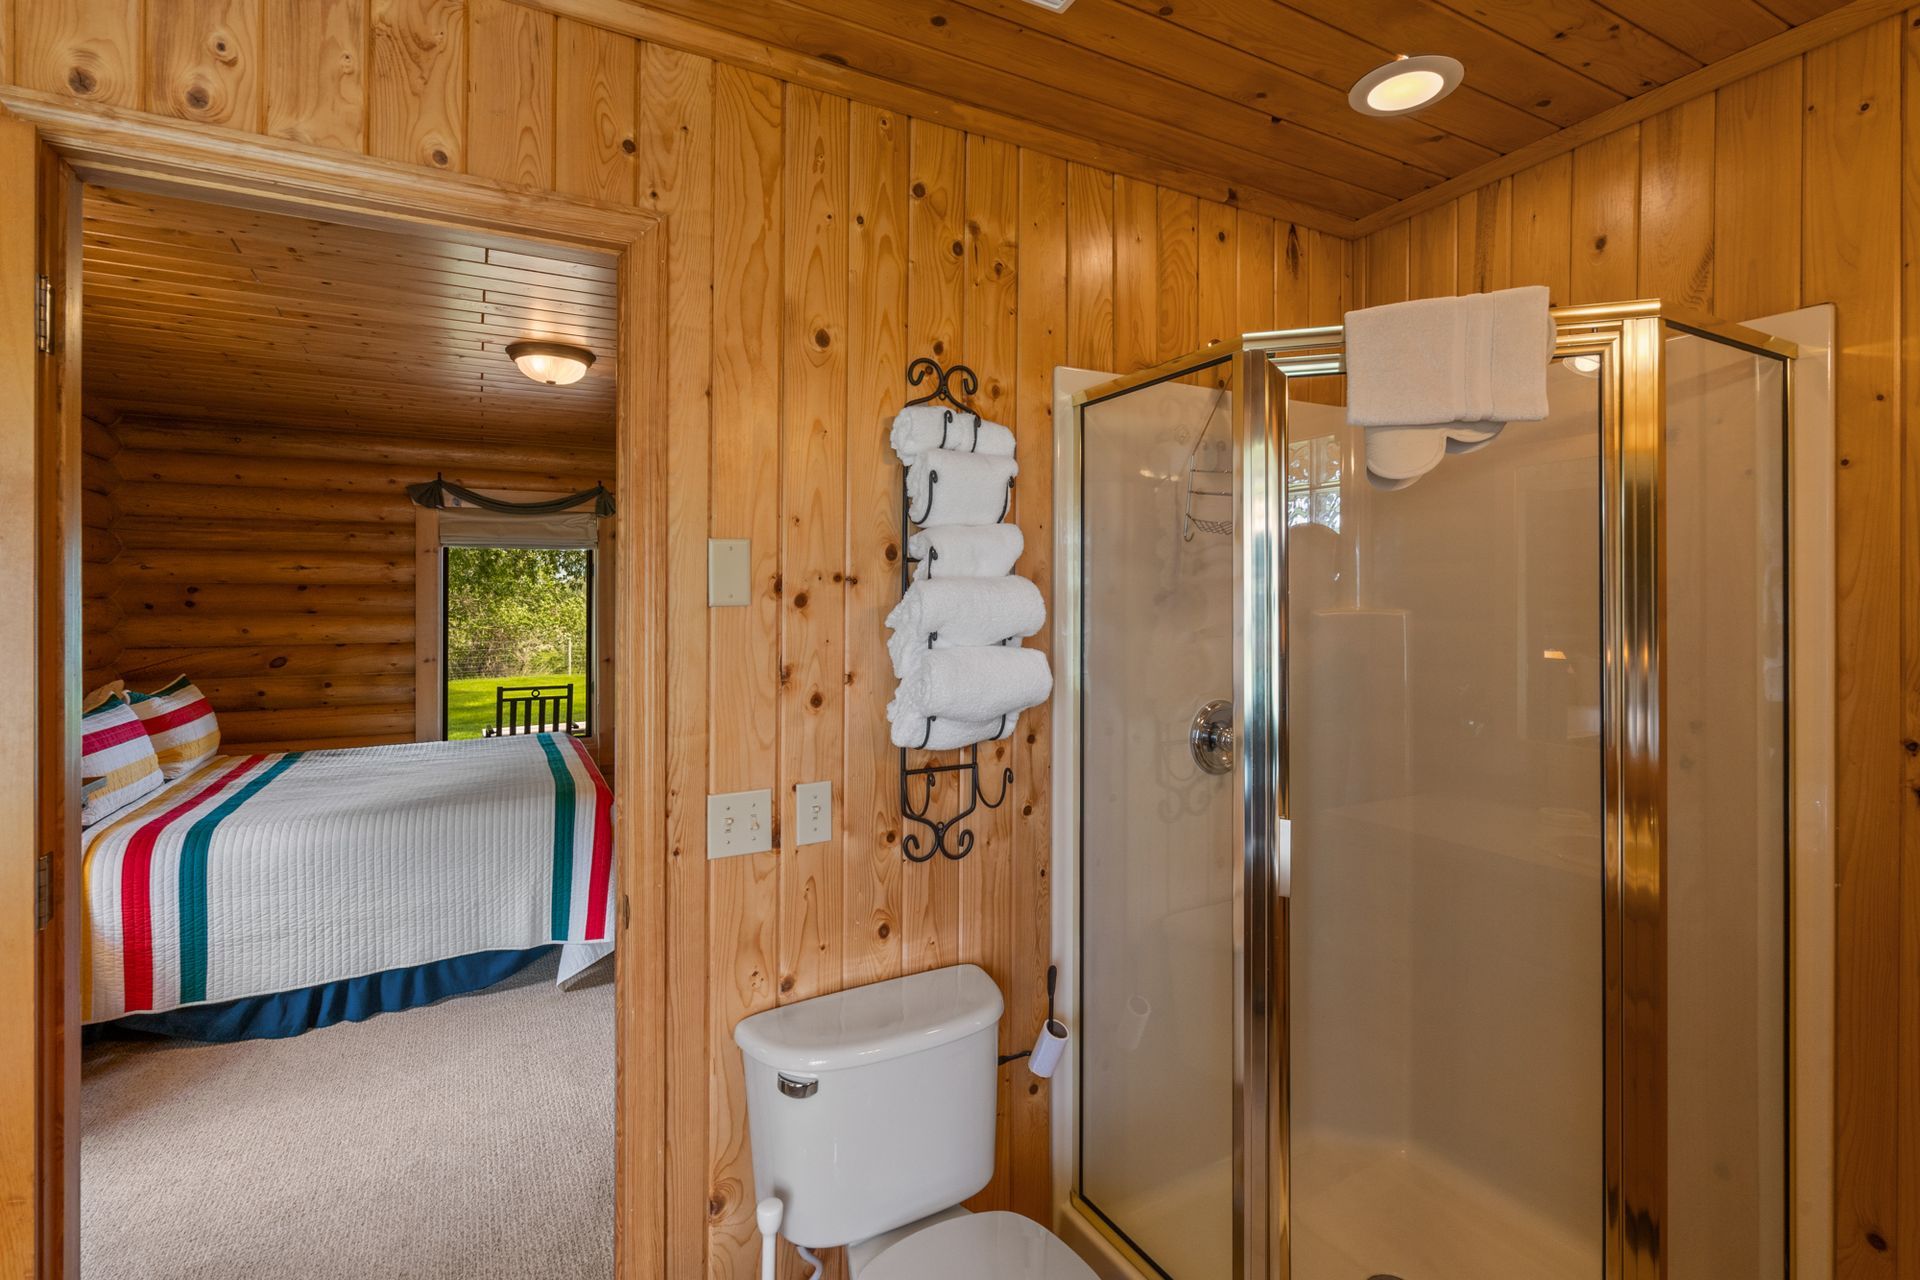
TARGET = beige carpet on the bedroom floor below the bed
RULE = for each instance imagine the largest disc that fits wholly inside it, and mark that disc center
(466, 1141)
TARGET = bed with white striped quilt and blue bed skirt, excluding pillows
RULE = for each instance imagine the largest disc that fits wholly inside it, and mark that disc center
(293, 889)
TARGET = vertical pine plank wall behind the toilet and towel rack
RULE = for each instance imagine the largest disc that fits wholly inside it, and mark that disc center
(817, 247)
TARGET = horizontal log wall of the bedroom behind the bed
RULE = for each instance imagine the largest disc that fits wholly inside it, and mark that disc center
(276, 569)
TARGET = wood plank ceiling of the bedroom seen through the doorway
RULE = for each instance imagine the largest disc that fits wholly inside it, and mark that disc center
(222, 314)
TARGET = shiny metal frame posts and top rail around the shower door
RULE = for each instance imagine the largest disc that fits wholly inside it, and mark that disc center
(1629, 339)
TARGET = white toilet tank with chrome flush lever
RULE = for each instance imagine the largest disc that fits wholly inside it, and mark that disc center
(875, 1106)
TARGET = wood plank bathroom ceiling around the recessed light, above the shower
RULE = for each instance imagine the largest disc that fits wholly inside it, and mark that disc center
(1255, 91)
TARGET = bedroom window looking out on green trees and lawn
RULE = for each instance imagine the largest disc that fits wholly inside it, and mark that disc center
(519, 640)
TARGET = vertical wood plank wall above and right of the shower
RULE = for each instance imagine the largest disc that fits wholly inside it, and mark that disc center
(1798, 185)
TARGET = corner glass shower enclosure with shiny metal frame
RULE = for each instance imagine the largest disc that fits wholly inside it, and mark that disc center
(1431, 841)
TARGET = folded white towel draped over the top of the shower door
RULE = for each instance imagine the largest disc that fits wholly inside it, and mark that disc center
(1435, 362)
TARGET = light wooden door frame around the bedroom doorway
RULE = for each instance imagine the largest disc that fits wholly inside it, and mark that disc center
(141, 153)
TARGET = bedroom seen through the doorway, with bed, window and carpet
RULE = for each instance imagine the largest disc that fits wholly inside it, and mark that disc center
(333, 918)
